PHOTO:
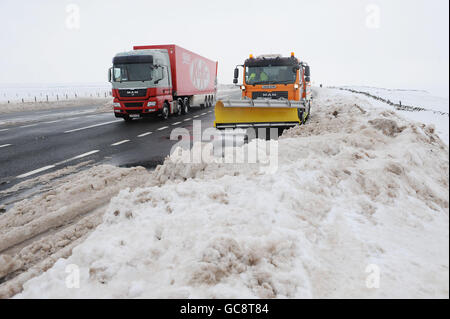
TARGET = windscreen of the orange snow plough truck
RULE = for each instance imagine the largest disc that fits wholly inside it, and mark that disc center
(269, 75)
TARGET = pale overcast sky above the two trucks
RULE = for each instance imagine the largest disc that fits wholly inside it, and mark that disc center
(385, 43)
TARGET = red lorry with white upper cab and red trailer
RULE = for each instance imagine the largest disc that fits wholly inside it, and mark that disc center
(161, 79)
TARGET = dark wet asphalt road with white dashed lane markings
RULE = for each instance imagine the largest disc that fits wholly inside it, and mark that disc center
(54, 140)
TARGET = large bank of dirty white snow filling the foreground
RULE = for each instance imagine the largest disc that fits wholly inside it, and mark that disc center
(357, 189)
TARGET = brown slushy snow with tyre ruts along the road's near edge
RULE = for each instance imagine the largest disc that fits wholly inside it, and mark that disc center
(37, 231)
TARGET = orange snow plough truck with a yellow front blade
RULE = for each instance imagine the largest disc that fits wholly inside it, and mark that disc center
(276, 92)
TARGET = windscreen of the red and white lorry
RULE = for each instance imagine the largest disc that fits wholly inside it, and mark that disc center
(133, 72)
